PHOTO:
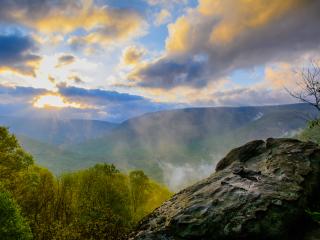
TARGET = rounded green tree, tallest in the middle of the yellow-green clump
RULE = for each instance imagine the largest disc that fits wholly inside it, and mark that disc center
(104, 203)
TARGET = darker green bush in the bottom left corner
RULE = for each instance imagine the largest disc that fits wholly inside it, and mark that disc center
(12, 224)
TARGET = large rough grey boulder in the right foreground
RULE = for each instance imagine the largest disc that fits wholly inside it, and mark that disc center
(259, 191)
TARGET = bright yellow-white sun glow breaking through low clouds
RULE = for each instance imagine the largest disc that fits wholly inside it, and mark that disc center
(55, 101)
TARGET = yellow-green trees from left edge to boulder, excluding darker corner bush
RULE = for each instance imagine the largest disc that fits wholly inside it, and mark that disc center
(96, 203)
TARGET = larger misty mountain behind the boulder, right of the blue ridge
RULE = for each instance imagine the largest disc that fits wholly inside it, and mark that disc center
(180, 145)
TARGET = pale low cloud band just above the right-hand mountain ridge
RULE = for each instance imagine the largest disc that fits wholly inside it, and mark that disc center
(224, 92)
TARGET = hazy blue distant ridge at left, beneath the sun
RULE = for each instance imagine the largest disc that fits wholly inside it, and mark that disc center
(57, 131)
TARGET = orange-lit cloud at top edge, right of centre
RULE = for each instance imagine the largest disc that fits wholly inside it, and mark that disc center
(246, 15)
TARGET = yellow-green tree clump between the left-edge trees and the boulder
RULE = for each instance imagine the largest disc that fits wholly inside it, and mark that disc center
(96, 203)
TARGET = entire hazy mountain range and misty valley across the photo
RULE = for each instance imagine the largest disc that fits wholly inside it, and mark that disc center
(176, 146)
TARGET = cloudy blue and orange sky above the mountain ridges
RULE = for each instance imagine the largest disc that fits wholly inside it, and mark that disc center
(115, 59)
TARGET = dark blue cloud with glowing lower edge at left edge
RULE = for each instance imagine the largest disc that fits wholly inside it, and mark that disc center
(16, 54)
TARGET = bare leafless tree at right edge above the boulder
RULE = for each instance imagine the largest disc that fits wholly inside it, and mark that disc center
(308, 85)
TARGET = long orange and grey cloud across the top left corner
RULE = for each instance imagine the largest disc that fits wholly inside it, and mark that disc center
(101, 24)
